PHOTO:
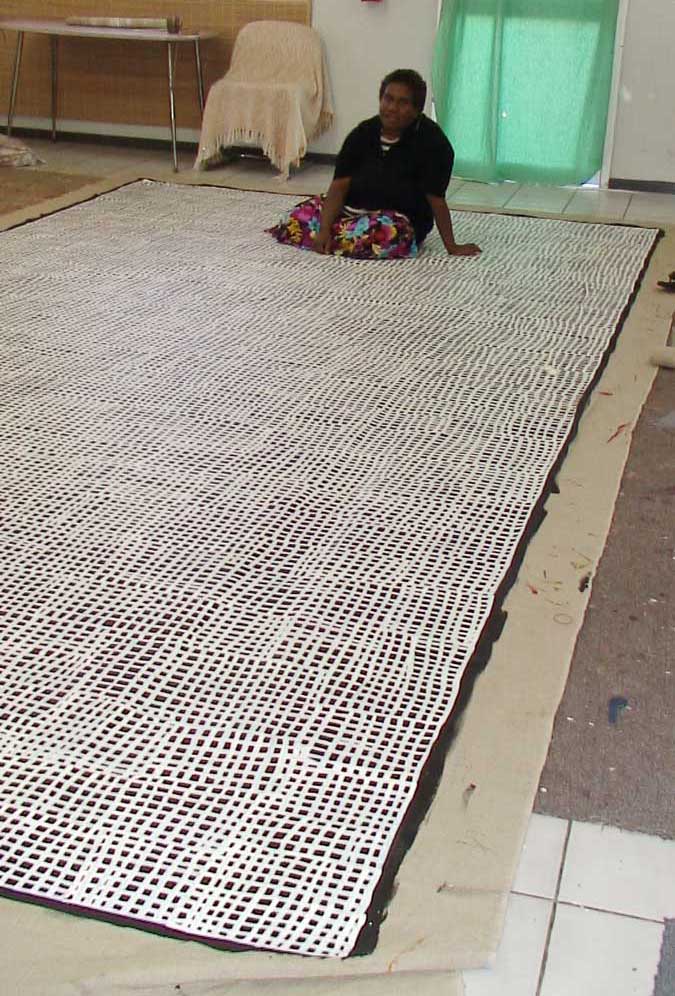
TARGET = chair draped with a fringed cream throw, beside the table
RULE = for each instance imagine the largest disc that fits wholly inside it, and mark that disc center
(275, 95)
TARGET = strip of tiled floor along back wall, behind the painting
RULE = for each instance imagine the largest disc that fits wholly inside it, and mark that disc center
(600, 205)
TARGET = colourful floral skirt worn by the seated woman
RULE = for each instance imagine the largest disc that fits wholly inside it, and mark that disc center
(366, 235)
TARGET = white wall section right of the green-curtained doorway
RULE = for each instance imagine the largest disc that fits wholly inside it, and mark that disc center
(644, 130)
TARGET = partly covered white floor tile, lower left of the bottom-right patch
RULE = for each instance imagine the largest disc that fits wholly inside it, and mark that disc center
(516, 969)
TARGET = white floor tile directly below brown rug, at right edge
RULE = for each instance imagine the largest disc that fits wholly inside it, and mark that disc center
(613, 869)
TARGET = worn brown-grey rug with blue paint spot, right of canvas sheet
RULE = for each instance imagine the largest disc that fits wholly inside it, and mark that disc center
(610, 758)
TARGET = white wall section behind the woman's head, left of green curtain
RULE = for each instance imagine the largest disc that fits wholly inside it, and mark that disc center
(363, 42)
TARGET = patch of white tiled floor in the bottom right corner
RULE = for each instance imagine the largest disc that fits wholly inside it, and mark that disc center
(586, 916)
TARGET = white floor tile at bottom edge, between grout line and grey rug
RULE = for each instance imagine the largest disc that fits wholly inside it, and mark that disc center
(601, 954)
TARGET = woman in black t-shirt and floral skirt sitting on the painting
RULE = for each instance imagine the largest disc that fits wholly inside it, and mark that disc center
(391, 177)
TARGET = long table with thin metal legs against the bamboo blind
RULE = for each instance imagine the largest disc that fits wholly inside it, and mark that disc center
(59, 29)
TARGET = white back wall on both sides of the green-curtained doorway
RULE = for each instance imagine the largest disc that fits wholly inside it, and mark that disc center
(364, 41)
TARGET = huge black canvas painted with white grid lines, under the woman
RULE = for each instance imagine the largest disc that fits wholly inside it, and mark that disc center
(257, 507)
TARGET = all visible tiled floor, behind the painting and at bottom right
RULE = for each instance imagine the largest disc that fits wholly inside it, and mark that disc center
(587, 911)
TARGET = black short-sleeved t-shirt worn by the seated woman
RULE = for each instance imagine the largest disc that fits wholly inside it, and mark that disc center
(399, 179)
